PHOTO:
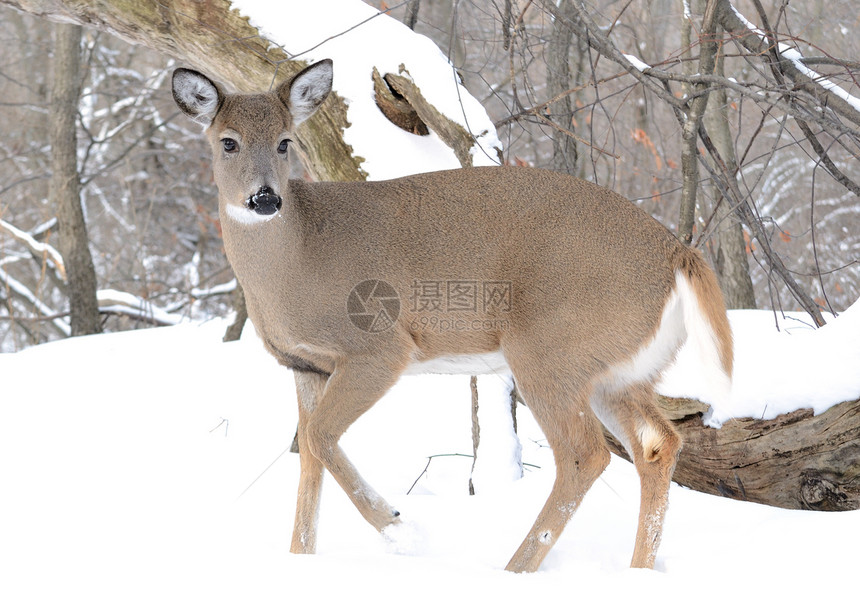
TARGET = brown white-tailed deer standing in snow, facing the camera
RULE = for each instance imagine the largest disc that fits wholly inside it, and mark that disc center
(583, 296)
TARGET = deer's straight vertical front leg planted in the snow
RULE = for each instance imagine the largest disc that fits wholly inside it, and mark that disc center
(309, 388)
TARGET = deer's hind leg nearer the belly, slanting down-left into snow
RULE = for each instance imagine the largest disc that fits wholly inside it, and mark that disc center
(580, 454)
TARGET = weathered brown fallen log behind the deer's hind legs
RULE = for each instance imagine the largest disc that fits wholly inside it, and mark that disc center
(795, 461)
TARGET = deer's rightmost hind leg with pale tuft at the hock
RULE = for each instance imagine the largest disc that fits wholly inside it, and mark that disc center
(631, 414)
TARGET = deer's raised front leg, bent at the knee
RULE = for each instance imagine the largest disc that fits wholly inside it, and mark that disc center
(353, 388)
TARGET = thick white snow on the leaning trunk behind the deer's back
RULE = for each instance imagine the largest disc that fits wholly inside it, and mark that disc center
(382, 42)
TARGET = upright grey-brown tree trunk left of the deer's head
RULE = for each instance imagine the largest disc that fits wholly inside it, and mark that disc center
(65, 182)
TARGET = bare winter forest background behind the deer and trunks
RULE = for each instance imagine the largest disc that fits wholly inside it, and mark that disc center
(150, 203)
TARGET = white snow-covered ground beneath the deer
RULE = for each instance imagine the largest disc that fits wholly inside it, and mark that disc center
(145, 472)
